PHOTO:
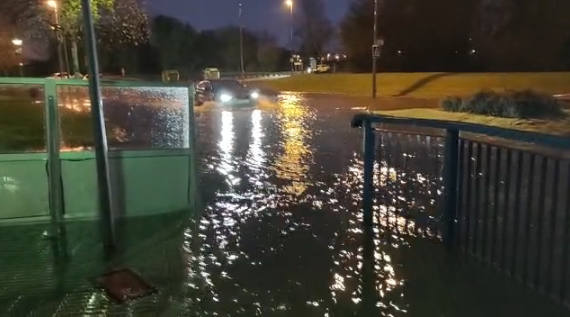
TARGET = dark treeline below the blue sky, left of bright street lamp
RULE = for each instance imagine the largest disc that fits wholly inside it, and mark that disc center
(174, 45)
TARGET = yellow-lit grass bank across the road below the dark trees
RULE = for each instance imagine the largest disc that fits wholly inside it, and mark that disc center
(423, 85)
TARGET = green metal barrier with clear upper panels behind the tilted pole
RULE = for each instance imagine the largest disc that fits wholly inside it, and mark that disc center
(47, 165)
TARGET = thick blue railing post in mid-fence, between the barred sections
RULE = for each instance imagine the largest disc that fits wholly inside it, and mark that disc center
(450, 176)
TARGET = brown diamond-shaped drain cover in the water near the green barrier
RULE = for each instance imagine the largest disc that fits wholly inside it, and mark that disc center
(124, 285)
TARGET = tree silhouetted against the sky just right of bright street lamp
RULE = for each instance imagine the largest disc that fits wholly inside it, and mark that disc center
(314, 29)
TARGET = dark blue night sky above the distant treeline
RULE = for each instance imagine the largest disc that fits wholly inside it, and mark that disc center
(259, 15)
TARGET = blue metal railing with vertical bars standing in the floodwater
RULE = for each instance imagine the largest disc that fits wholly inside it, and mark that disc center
(499, 196)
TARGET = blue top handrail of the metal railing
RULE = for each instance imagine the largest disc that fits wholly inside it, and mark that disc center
(555, 141)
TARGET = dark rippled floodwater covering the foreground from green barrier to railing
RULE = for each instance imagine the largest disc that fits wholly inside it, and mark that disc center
(279, 234)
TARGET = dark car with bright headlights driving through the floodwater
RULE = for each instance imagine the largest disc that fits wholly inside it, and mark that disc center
(226, 92)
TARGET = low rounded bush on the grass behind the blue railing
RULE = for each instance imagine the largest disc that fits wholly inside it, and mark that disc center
(516, 104)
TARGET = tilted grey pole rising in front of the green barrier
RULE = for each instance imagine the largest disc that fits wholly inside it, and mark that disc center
(102, 160)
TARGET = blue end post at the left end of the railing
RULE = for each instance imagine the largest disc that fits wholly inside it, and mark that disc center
(369, 145)
